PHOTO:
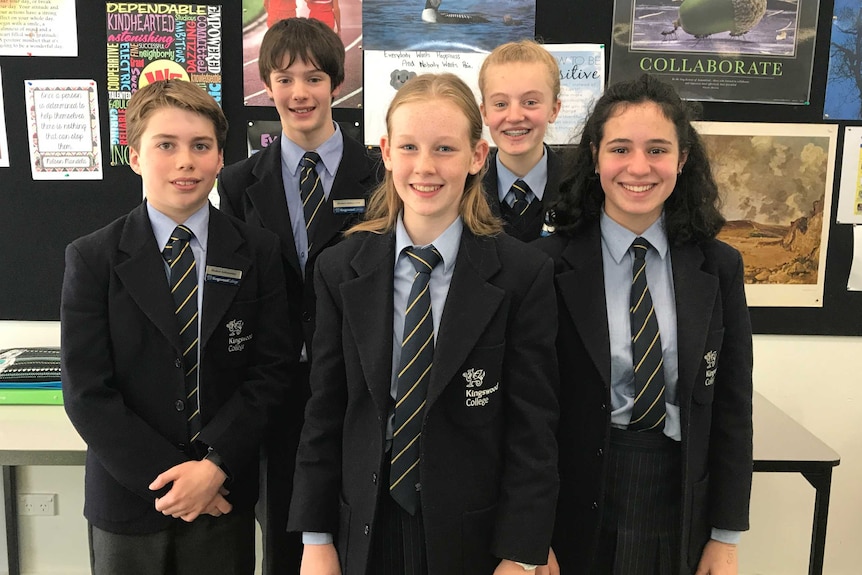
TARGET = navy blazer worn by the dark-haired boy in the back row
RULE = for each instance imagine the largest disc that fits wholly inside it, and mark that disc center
(253, 191)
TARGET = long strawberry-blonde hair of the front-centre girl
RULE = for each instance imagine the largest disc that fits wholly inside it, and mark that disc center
(384, 205)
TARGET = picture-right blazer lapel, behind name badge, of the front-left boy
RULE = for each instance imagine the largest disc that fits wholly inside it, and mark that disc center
(224, 241)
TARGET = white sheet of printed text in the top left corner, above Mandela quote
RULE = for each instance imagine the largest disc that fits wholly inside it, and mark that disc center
(38, 28)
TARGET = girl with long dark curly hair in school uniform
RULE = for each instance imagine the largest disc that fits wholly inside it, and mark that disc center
(654, 347)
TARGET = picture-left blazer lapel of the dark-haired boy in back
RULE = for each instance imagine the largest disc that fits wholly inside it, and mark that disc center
(267, 195)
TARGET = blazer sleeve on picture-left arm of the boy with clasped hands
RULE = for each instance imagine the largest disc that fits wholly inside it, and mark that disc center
(127, 446)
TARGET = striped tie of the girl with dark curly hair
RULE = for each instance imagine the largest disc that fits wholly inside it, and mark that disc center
(648, 413)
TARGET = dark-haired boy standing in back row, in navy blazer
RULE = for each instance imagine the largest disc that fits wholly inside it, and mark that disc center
(302, 64)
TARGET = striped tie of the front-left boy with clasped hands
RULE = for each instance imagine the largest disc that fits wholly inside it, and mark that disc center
(184, 289)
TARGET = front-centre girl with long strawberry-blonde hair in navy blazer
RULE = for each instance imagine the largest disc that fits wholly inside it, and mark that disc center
(428, 445)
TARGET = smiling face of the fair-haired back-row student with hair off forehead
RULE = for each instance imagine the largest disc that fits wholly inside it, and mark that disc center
(517, 106)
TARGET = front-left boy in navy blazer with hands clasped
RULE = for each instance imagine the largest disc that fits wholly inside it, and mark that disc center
(175, 350)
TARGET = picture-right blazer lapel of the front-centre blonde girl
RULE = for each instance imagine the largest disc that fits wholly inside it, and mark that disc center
(470, 306)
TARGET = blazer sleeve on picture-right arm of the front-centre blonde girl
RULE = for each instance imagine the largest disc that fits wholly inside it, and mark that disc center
(530, 481)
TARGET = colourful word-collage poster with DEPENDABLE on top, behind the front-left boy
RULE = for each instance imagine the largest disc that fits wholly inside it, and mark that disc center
(152, 42)
